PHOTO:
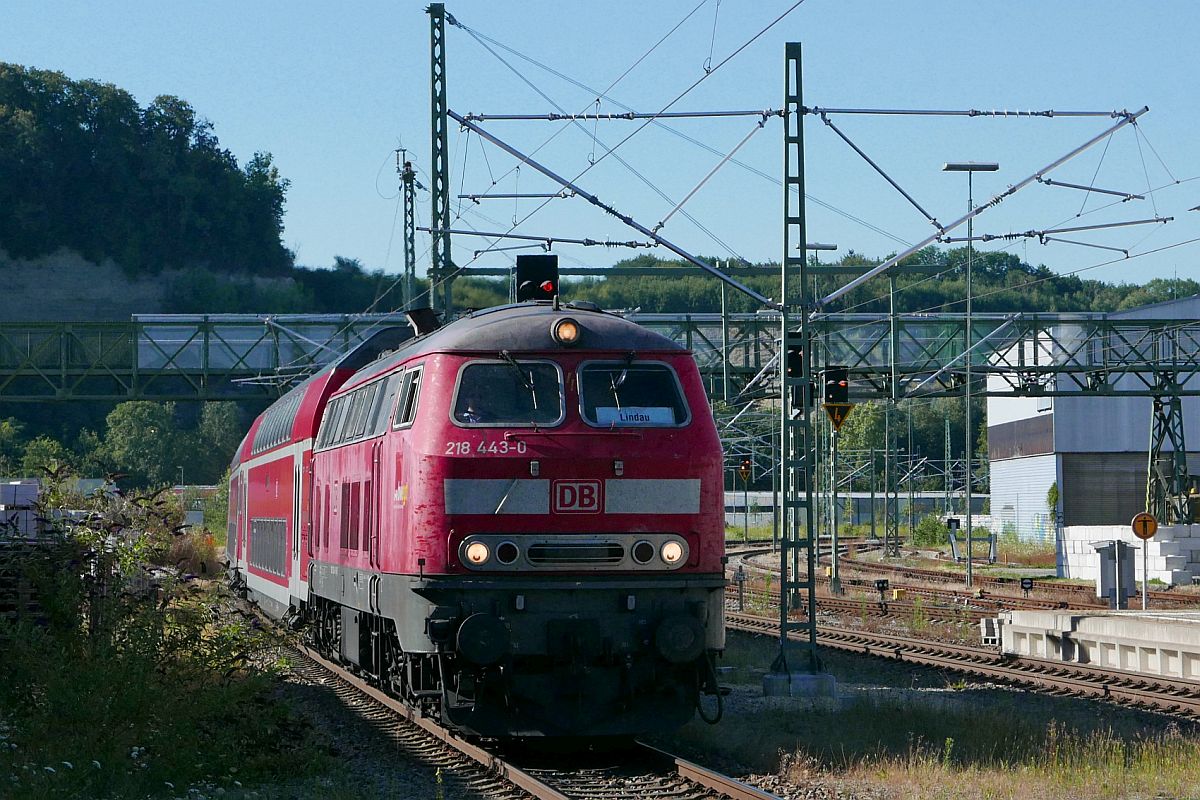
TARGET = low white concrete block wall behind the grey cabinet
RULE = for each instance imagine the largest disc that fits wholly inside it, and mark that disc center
(1173, 556)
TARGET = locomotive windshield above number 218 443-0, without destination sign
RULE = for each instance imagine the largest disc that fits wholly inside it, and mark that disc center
(509, 393)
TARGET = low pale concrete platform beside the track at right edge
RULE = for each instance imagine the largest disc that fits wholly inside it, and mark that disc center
(1153, 643)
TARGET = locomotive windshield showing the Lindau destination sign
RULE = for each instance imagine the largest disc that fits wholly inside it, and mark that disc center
(631, 395)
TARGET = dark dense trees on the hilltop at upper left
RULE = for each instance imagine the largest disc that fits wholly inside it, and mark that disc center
(83, 166)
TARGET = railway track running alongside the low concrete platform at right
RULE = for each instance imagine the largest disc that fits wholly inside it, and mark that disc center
(1172, 696)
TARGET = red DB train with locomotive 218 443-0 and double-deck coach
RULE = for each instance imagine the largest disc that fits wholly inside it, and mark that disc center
(514, 520)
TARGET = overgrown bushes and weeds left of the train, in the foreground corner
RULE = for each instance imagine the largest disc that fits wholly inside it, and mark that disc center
(136, 676)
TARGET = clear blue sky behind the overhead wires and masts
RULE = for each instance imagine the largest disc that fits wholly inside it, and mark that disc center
(333, 89)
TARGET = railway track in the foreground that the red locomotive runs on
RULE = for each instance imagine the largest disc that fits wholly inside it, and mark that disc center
(635, 773)
